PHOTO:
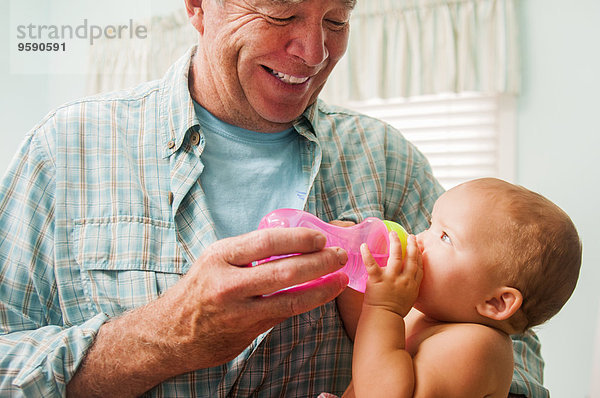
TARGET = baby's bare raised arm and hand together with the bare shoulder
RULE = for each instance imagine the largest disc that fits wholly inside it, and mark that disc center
(453, 360)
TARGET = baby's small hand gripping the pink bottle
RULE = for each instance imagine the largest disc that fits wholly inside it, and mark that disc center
(396, 286)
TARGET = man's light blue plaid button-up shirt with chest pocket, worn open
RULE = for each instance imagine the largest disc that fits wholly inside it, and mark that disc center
(102, 210)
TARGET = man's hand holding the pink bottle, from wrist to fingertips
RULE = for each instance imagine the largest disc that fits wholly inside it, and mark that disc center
(221, 305)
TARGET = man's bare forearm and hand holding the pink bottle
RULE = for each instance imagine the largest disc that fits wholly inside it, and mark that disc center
(214, 312)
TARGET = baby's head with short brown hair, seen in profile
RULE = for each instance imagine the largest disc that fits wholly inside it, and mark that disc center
(518, 254)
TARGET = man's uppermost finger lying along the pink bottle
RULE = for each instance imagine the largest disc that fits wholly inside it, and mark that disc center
(258, 245)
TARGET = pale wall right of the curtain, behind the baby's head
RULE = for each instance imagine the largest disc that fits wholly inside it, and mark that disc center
(558, 143)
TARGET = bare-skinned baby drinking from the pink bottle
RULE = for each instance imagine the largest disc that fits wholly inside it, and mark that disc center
(497, 260)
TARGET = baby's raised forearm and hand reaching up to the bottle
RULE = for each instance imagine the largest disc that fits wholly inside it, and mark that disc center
(381, 366)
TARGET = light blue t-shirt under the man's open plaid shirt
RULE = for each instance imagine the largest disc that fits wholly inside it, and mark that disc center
(248, 174)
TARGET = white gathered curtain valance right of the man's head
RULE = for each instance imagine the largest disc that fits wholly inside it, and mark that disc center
(404, 48)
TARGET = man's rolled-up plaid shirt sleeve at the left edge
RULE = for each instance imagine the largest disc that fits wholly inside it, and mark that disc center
(38, 352)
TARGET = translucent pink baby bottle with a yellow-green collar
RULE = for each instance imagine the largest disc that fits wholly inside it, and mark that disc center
(372, 231)
